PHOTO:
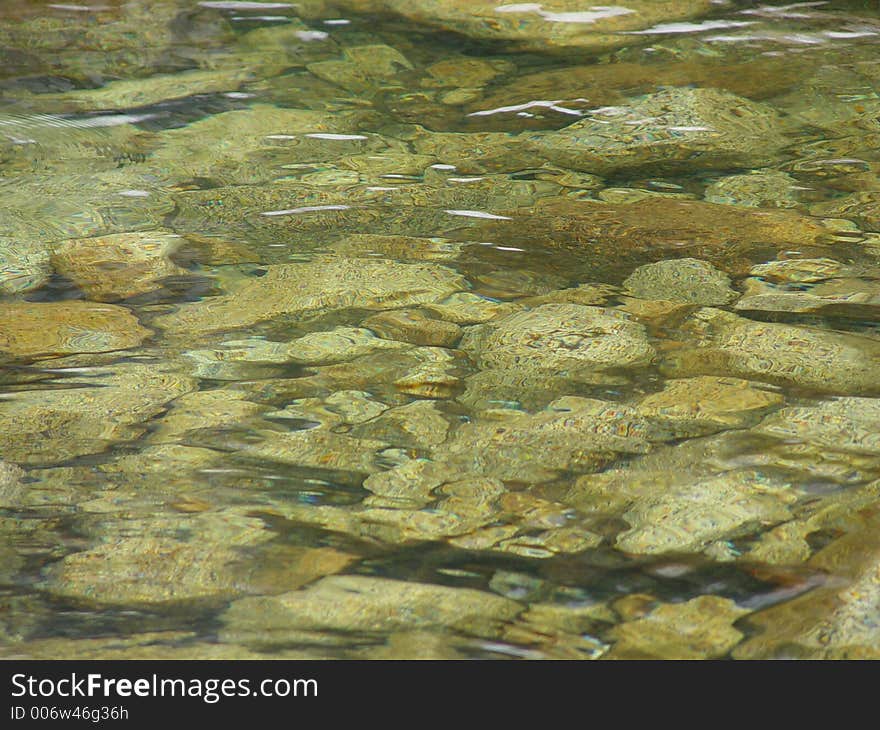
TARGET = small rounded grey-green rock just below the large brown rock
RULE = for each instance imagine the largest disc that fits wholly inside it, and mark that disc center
(681, 280)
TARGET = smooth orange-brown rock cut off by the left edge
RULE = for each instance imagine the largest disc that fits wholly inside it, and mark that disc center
(34, 329)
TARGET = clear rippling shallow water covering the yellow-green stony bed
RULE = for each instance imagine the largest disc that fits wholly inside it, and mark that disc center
(439, 330)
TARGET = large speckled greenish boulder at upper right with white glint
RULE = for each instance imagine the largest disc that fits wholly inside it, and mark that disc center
(676, 129)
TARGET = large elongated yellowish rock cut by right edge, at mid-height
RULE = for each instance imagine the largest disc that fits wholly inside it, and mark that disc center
(726, 344)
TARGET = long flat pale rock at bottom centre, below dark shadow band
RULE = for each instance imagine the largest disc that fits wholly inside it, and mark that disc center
(365, 604)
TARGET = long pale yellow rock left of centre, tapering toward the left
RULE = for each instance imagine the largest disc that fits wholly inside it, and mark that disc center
(320, 285)
